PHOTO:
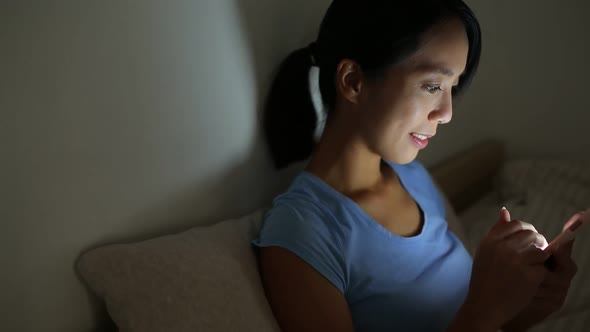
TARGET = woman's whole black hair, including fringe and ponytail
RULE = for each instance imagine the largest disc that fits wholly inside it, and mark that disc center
(375, 34)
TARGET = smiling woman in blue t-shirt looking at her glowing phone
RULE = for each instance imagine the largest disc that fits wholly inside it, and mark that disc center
(359, 241)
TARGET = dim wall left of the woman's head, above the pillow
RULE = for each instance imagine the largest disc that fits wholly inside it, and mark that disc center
(126, 119)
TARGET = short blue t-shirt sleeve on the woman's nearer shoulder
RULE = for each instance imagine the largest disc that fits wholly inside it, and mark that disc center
(303, 231)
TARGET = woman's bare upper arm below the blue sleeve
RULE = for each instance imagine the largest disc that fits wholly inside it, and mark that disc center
(300, 297)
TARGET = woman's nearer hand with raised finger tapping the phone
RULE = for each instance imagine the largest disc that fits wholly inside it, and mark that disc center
(507, 271)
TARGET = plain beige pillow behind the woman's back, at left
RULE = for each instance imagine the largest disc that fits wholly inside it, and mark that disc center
(204, 279)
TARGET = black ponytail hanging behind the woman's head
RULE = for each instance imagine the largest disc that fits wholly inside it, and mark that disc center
(289, 118)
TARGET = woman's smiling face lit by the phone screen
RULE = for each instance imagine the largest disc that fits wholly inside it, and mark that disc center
(408, 103)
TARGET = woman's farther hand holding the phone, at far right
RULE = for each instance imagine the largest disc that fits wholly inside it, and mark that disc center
(552, 291)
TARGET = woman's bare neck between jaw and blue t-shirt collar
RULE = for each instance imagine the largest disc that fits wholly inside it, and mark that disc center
(343, 160)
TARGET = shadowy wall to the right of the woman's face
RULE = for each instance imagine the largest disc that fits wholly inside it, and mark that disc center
(531, 89)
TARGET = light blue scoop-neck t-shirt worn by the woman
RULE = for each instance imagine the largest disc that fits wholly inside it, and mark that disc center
(391, 283)
